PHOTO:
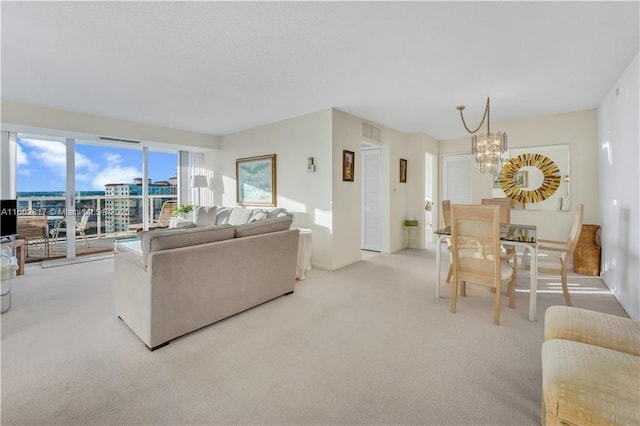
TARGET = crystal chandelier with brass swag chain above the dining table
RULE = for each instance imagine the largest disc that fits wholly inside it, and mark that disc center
(490, 148)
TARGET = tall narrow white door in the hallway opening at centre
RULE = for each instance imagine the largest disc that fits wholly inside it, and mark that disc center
(371, 199)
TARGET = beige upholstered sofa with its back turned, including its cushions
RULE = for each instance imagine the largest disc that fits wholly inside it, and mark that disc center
(171, 282)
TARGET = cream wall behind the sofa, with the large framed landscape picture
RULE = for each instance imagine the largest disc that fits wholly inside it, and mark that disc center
(307, 195)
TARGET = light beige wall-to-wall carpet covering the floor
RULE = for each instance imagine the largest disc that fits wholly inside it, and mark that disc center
(368, 344)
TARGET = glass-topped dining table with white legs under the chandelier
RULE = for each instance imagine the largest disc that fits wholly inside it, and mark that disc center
(513, 235)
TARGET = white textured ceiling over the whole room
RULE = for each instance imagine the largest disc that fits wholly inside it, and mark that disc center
(221, 67)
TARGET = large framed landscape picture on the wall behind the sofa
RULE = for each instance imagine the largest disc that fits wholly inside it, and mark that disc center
(256, 181)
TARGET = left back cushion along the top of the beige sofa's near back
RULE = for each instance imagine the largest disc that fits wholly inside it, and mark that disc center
(174, 238)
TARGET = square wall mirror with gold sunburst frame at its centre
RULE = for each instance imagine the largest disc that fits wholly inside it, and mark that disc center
(535, 178)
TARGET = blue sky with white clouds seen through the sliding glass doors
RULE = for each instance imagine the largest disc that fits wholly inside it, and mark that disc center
(42, 165)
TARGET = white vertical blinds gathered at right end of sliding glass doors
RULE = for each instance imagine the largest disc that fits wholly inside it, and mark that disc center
(192, 164)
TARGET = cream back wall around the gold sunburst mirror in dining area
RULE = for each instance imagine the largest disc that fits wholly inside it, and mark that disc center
(577, 129)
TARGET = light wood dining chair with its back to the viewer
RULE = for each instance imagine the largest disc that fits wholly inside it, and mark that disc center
(475, 249)
